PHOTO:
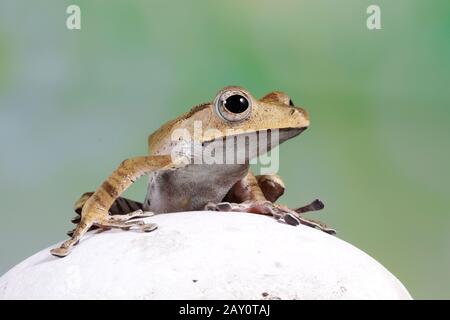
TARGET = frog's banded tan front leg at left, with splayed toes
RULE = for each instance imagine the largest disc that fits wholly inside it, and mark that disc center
(95, 211)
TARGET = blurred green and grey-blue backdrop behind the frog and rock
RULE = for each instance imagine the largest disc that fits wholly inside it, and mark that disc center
(75, 103)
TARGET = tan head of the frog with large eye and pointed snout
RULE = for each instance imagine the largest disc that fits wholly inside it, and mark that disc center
(234, 112)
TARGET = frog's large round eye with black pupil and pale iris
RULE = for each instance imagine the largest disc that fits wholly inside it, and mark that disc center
(233, 105)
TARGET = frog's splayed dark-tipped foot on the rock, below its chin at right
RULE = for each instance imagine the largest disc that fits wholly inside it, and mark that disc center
(279, 212)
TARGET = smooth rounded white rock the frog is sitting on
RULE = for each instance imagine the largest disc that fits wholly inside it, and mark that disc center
(205, 255)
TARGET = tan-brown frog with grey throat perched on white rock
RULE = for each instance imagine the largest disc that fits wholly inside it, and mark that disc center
(179, 182)
